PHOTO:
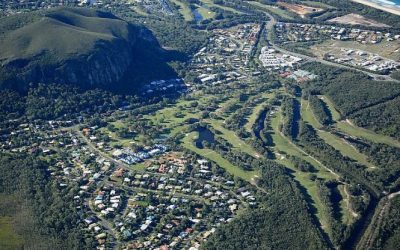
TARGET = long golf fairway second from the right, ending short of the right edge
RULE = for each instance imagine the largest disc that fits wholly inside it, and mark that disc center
(335, 141)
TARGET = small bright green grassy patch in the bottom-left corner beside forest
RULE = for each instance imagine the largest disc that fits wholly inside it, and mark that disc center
(9, 240)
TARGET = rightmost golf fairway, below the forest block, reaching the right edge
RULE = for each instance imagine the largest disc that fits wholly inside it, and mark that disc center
(350, 129)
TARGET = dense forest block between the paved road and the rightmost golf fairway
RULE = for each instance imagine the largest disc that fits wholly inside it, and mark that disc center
(372, 104)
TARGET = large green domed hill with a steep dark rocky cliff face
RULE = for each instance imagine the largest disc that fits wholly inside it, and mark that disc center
(77, 46)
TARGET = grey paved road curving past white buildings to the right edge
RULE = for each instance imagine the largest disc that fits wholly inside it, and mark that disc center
(270, 25)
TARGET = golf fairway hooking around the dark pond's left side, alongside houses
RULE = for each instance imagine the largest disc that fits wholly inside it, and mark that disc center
(217, 158)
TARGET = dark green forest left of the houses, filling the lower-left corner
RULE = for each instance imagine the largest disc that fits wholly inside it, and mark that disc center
(41, 212)
